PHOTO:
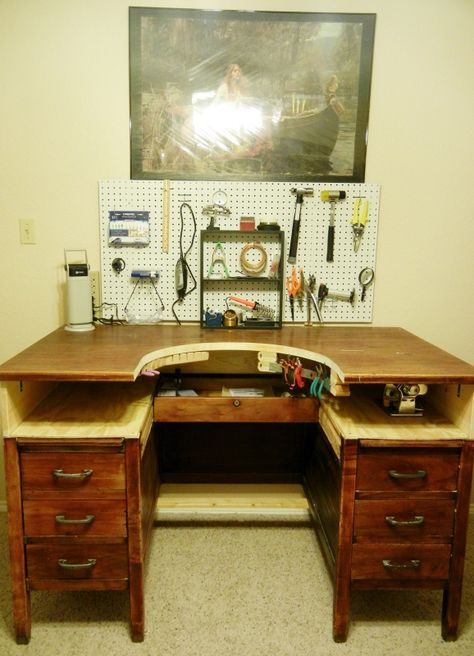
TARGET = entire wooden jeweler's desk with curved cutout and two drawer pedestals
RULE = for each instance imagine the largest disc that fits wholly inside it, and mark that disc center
(369, 477)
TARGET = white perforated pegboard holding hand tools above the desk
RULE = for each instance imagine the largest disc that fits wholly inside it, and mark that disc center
(270, 201)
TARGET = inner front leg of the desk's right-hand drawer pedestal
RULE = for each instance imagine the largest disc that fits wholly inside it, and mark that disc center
(342, 585)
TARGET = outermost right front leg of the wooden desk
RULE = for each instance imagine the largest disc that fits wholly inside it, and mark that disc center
(452, 594)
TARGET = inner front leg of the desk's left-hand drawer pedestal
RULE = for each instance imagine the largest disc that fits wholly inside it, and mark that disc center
(135, 541)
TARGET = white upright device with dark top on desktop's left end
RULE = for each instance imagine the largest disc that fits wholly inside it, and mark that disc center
(78, 298)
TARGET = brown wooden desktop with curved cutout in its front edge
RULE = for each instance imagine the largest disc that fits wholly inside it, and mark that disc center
(357, 354)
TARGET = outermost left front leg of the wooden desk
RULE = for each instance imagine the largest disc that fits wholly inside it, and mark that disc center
(21, 596)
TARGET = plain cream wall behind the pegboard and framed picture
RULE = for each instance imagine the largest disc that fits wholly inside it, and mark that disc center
(64, 125)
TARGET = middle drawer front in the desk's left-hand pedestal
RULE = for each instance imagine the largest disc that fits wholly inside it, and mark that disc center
(80, 518)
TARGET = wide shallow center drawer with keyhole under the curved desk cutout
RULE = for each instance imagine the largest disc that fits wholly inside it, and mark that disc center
(235, 409)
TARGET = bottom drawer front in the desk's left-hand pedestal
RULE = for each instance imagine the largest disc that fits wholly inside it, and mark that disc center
(77, 561)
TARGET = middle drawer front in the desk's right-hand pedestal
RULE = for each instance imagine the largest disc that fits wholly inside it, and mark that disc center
(407, 520)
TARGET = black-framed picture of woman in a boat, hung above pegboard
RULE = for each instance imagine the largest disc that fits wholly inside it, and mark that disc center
(234, 95)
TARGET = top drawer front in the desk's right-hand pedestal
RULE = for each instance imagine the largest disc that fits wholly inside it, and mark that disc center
(402, 470)
